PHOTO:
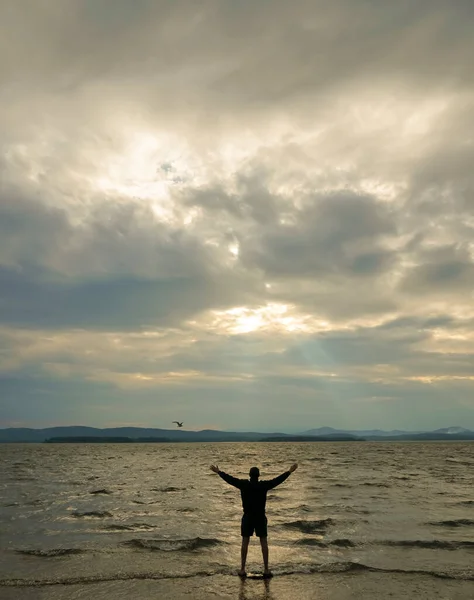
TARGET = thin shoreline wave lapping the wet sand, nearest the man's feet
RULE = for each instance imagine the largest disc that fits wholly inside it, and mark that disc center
(279, 571)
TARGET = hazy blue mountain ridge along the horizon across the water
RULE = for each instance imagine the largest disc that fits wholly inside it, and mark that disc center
(21, 435)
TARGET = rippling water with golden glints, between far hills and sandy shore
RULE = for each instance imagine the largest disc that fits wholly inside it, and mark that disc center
(78, 515)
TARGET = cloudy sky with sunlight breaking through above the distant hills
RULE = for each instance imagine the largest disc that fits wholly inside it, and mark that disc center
(242, 214)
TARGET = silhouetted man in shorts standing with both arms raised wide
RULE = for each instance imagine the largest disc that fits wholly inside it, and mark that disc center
(254, 497)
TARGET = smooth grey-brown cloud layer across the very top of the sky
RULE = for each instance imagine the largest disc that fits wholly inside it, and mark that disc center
(263, 52)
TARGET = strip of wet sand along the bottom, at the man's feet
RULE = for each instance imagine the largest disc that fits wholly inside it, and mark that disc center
(367, 586)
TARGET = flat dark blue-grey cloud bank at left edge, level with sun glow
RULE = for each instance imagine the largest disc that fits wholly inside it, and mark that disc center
(111, 303)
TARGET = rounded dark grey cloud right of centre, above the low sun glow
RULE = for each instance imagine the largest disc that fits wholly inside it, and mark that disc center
(340, 233)
